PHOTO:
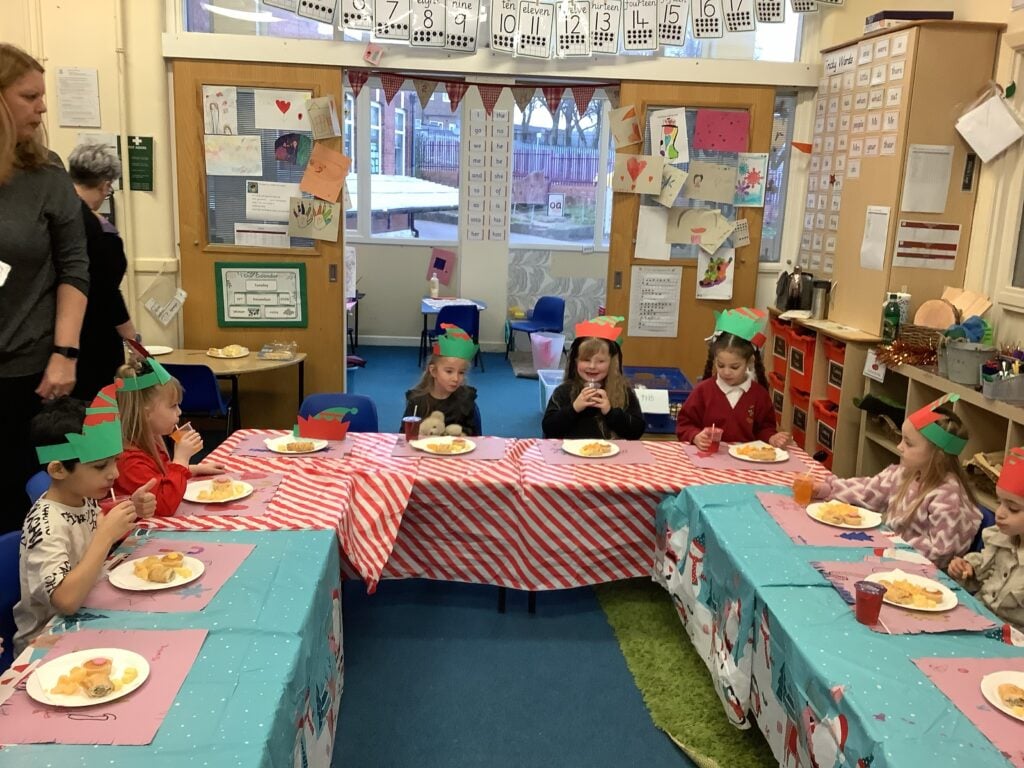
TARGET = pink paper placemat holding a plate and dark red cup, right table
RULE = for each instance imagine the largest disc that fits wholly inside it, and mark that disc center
(895, 621)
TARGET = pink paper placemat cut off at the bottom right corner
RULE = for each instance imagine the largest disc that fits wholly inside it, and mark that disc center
(960, 680)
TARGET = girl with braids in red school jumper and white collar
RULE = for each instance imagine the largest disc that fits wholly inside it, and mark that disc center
(730, 397)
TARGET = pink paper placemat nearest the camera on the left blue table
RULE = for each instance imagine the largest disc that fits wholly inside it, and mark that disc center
(133, 720)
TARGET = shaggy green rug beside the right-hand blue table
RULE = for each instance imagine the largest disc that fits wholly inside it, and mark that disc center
(674, 681)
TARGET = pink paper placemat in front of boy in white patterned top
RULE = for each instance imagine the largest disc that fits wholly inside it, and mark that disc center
(222, 561)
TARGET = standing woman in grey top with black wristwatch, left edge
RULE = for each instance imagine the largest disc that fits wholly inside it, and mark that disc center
(45, 274)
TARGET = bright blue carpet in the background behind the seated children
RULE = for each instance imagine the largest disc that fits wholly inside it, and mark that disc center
(509, 407)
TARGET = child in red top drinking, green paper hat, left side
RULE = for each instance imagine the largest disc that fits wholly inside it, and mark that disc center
(150, 401)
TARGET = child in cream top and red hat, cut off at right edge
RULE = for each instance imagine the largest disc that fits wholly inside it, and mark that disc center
(997, 573)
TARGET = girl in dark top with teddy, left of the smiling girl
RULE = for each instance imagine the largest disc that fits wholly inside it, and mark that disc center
(443, 387)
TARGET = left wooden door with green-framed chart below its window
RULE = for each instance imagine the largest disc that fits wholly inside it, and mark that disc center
(268, 400)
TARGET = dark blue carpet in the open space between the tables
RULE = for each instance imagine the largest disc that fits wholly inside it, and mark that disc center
(437, 677)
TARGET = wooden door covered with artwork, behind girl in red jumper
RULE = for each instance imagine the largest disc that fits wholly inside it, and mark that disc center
(688, 351)
